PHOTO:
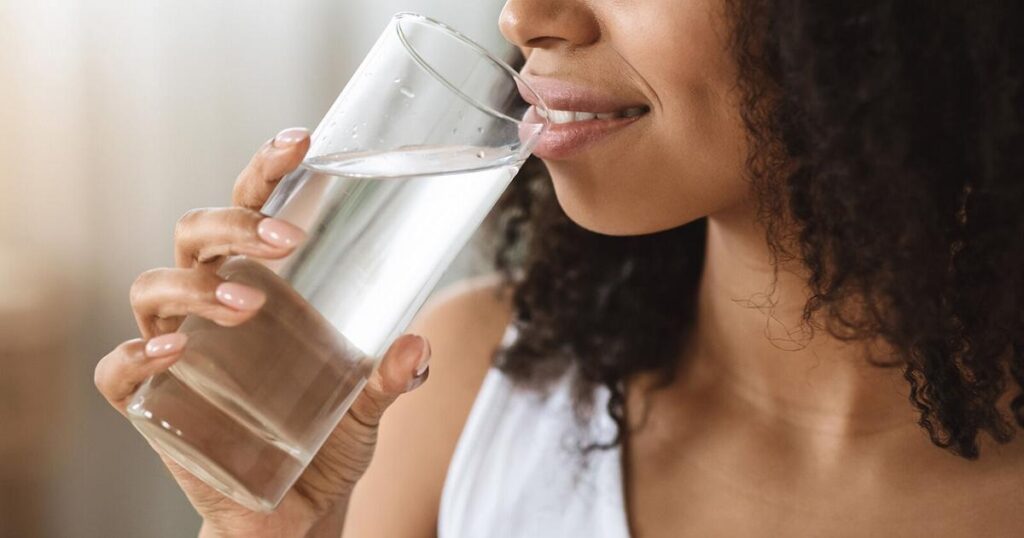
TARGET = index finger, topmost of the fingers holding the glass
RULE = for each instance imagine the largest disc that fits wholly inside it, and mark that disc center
(275, 159)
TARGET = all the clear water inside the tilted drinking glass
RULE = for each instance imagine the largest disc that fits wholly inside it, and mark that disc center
(248, 407)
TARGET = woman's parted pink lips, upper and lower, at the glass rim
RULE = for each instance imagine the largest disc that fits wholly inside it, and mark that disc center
(567, 140)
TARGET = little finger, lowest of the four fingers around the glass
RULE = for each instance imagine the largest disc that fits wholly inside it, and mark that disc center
(119, 375)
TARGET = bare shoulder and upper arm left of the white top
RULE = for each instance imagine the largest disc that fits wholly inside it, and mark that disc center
(401, 492)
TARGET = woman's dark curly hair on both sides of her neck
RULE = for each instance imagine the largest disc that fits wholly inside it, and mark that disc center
(888, 147)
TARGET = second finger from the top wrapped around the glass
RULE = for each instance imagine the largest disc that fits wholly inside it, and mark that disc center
(208, 236)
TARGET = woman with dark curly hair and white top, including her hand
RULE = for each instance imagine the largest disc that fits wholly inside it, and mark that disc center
(778, 295)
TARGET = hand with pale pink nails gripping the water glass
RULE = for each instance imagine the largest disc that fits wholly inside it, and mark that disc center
(161, 299)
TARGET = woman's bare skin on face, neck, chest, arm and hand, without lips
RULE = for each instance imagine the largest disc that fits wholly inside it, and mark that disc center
(767, 432)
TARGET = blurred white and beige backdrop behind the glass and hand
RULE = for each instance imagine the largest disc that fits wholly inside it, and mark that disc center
(116, 117)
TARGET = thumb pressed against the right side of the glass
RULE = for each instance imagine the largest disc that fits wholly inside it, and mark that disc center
(404, 368)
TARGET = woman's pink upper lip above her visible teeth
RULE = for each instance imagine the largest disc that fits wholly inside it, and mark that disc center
(565, 96)
